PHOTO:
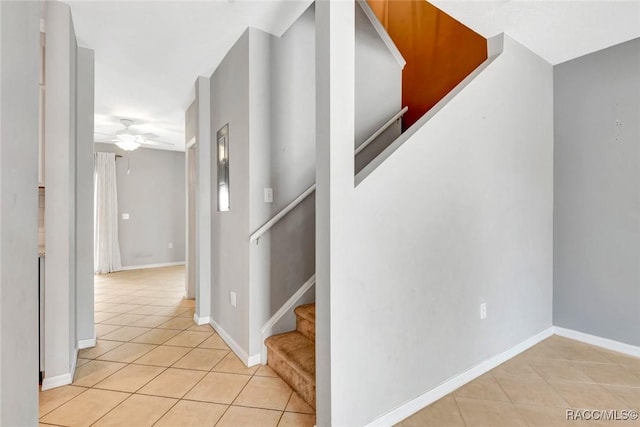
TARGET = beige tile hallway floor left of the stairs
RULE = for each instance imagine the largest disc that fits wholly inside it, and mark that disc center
(152, 366)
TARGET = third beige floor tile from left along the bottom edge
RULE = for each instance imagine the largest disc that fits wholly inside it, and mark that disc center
(187, 413)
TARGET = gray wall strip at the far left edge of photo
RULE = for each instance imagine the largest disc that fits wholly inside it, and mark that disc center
(19, 35)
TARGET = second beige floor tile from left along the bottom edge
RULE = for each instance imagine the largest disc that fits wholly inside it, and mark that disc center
(138, 411)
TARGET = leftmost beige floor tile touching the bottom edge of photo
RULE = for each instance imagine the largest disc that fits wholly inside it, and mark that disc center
(86, 408)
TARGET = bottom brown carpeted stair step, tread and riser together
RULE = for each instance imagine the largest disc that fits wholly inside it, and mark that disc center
(293, 357)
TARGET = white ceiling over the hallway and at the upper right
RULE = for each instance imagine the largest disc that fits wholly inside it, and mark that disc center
(149, 53)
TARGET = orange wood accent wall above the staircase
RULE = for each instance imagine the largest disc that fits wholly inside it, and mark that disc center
(440, 51)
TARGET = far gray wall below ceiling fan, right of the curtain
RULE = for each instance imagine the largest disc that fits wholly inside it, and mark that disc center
(153, 194)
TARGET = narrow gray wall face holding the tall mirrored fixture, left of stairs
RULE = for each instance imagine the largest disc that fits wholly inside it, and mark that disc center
(230, 230)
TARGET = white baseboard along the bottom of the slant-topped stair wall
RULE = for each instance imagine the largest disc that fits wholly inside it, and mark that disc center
(409, 408)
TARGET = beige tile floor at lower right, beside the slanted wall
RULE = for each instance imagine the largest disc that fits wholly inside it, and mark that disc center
(537, 387)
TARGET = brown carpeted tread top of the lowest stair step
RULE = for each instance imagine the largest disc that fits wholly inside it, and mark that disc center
(298, 350)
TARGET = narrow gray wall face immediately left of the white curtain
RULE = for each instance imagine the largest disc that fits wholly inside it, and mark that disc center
(84, 198)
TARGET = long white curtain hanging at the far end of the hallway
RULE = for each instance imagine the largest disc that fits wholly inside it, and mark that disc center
(106, 252)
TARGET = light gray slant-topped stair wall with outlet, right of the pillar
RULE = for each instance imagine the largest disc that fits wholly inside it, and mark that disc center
(459, 215)
